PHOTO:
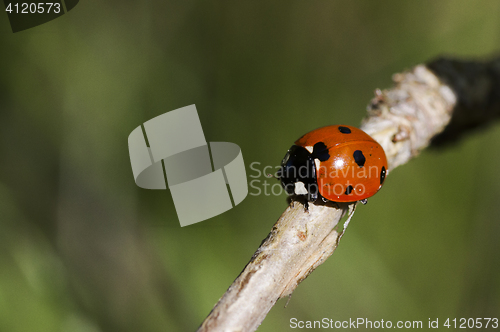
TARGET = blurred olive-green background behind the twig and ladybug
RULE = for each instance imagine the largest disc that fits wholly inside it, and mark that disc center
(82, 248)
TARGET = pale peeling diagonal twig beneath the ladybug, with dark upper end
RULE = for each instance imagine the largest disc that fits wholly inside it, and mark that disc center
(404, 120)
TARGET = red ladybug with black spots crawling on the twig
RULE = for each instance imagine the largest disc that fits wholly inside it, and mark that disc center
(334, 163)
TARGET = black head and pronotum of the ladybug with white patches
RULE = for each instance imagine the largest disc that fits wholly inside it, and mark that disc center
(298, 173)
